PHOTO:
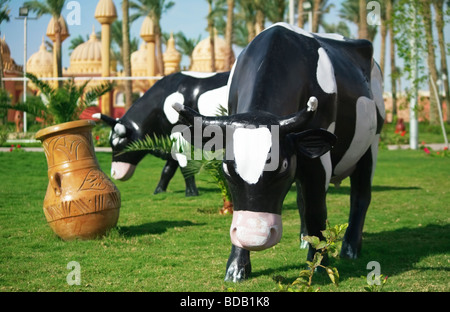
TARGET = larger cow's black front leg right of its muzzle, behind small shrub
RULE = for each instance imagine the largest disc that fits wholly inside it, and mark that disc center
(313, 180)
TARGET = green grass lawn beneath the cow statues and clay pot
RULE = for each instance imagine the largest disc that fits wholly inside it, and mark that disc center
(168, 242)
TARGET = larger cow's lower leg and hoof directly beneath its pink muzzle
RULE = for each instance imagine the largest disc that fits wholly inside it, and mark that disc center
(238, 265)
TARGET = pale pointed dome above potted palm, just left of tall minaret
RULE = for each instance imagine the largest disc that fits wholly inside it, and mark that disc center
(87, 57)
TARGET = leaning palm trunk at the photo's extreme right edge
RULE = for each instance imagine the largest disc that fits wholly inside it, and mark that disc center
(439, 8)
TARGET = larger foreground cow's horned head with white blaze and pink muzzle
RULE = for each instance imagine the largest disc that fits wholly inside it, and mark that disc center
(260, 164)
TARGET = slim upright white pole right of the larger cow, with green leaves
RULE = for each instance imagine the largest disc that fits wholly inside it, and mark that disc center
(413, 123)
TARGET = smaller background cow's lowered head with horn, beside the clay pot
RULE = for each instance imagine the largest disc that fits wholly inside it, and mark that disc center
(122, 134)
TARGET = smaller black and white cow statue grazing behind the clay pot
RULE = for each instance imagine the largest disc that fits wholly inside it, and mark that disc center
(153, 114)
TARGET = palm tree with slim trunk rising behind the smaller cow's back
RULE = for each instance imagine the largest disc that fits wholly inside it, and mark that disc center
(154, 9)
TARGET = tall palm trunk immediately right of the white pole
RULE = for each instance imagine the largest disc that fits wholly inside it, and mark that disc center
(431, 60)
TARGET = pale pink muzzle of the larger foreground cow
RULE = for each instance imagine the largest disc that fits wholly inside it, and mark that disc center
(255, 230)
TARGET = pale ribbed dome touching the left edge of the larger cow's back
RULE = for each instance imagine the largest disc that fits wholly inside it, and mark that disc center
(201, 56)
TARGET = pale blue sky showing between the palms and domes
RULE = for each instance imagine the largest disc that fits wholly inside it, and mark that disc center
(186, 15)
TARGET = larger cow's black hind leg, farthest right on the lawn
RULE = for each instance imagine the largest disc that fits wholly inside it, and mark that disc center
(360, 196)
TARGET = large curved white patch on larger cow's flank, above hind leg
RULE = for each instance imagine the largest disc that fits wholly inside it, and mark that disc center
(365, 133)
